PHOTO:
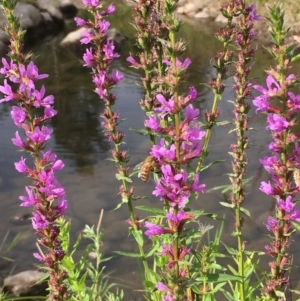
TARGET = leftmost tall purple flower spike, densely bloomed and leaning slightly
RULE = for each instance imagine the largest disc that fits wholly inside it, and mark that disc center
(31, 111)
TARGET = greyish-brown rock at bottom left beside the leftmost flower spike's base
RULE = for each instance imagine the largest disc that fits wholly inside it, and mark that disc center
(25, 284)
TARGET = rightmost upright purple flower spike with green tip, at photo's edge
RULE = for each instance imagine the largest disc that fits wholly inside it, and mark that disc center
(281, 106)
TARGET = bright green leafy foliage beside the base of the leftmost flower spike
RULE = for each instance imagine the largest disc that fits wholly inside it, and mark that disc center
(86, 278)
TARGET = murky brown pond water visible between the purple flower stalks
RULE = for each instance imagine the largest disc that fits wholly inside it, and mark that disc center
(89, 178)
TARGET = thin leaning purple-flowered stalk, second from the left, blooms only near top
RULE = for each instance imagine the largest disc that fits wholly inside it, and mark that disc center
(99, 56)
